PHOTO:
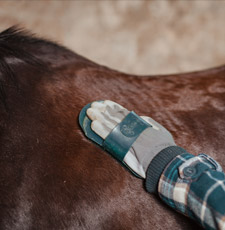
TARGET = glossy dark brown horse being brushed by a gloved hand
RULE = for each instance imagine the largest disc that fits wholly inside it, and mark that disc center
(51, 176)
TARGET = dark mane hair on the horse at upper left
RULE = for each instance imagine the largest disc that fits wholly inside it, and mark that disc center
(16, 49)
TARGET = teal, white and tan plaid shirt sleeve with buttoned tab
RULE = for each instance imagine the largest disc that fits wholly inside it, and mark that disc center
(195, 187)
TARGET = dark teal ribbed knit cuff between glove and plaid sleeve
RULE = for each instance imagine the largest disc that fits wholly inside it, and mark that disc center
(158, 164)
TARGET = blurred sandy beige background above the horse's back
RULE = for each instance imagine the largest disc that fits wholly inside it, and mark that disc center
(140, 37)
